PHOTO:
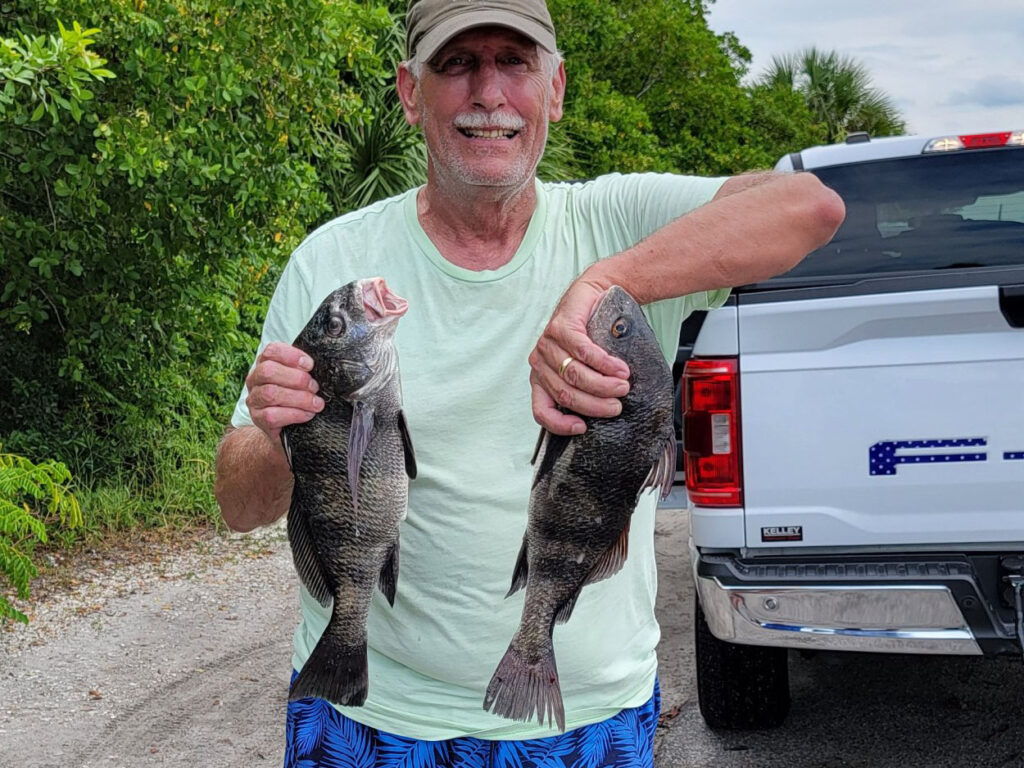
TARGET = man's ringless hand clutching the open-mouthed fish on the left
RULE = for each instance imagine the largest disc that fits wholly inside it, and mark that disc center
(281, 391)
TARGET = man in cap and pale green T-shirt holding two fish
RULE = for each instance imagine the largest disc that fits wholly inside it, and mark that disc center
(499, 270)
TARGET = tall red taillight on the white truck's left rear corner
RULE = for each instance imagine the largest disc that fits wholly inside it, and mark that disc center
(711, 432)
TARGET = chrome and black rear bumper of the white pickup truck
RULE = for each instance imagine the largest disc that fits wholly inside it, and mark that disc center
(834, 607)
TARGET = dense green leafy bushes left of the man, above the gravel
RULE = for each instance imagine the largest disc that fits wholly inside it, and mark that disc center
(143, 223)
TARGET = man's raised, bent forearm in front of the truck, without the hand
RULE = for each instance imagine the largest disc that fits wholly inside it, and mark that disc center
(756, 228)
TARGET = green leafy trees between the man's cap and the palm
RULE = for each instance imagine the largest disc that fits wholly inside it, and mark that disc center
(653, 89)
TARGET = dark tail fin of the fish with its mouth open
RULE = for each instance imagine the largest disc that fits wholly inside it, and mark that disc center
(335, 671)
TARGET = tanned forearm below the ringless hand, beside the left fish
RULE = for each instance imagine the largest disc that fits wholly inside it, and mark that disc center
(254, 482)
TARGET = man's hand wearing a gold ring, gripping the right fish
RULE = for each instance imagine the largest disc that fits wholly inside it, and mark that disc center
(591, 382)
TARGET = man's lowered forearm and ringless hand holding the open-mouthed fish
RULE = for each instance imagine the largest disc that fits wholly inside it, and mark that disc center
(254, 482)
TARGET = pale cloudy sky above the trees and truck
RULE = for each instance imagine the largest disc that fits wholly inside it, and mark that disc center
(950, 66)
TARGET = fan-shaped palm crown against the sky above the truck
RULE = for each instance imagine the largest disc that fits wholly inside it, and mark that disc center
(838, 93)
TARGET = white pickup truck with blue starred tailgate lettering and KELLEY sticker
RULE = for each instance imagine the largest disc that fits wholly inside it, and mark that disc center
(854, 431)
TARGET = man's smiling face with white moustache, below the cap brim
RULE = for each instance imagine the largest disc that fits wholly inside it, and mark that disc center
(485, 102)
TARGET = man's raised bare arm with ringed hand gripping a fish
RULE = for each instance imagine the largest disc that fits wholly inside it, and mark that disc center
(757, 226)
